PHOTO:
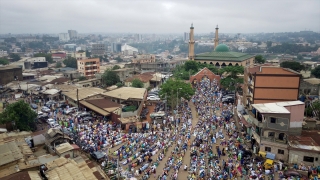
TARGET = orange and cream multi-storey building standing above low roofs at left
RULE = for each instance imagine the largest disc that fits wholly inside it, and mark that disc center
(89, 67)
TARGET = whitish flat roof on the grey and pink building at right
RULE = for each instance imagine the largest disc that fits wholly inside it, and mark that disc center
(277, 108)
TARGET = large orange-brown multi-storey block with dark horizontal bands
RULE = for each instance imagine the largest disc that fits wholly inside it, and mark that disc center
(267, 84)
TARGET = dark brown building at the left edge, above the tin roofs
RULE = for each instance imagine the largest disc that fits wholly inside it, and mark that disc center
(10, 73)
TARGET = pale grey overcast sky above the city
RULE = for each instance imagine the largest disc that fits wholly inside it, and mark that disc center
(158, 16)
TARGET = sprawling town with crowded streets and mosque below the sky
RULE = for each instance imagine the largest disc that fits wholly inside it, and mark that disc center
(196, 107)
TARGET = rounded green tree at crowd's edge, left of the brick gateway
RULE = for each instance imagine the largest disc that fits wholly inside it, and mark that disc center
(170, 88)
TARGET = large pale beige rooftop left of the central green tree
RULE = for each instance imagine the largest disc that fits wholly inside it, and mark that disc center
(126, 93)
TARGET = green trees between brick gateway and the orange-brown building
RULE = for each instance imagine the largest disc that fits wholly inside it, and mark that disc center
(231, 80)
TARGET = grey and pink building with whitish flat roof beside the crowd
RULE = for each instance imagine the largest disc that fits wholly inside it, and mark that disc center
(272, 124)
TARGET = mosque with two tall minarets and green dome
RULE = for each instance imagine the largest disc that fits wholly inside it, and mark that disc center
(221, 56)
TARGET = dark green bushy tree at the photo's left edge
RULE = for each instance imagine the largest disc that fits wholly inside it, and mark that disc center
(21, 114)
